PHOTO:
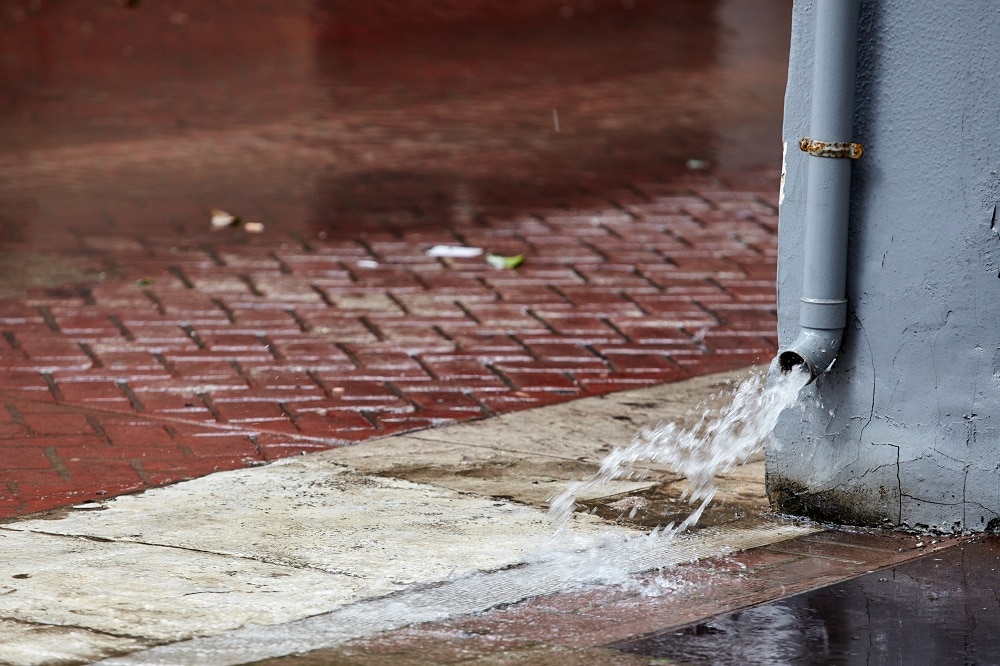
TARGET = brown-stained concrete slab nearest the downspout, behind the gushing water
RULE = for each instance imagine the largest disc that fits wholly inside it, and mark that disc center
(529, 456)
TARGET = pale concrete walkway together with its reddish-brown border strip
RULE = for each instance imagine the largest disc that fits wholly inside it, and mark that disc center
(347, 557)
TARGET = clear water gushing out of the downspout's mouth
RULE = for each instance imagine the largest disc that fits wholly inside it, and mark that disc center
(718, 442)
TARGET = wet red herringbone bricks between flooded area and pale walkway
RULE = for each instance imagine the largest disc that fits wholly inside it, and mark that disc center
(225, 350)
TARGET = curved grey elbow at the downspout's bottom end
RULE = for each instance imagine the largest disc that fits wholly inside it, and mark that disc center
(822, 324)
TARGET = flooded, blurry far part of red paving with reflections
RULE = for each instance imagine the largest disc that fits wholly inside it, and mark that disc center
(325, 115)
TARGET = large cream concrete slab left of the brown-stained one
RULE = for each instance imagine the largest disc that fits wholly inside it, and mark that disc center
(310, 514)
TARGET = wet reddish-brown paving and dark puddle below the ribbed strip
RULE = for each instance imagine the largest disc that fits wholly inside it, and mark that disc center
(924, 606)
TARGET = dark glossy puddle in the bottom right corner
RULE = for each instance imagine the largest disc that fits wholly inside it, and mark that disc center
(940, 609)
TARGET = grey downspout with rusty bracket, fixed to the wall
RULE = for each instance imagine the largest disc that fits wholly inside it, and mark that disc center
(823, 311)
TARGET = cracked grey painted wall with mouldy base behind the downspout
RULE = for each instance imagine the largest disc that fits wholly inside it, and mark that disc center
(908, 430)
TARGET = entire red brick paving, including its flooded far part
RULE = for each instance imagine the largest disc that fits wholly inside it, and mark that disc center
(139, 348)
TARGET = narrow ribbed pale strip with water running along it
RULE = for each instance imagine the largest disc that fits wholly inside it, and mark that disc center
(609, 563)
